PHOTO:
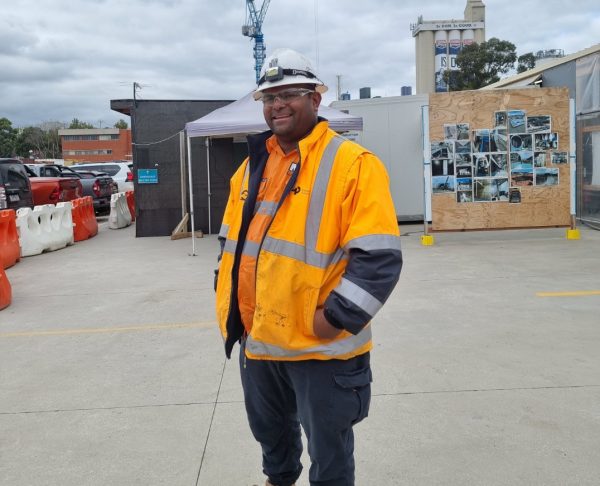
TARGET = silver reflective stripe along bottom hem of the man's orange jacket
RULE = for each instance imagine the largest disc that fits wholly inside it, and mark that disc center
(332, 349)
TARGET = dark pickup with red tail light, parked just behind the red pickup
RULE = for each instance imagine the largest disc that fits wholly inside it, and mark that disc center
(99, 185)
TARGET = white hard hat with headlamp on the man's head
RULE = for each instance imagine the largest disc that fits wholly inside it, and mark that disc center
(286, 66)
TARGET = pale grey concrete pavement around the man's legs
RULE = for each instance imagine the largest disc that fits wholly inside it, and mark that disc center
(112, 370)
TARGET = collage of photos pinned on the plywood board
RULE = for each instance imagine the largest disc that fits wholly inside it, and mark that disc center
(488, 164)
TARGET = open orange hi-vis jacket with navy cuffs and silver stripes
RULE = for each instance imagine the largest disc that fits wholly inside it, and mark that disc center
(332, 242)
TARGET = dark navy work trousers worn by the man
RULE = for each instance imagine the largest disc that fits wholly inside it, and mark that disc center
(326, 398)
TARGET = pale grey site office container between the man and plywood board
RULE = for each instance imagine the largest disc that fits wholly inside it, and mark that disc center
(392, 130)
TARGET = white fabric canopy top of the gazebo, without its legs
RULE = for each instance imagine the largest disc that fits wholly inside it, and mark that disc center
(245, 116)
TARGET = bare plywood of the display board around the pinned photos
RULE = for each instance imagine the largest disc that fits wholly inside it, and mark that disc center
(540, 206)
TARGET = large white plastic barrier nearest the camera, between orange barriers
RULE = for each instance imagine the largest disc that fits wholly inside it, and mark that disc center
(45, 228)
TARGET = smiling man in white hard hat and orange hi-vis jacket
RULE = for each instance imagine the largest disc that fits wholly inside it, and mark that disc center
(310, 252)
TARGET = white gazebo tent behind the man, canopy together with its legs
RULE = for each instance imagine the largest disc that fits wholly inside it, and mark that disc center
(243, 117)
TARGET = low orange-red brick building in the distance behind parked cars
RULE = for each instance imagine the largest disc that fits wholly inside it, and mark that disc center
(95, 144)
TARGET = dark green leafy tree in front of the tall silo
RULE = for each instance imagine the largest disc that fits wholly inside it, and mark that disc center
(481, 64)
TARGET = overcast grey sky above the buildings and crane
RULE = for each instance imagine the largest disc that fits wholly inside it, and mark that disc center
(65, 59)
